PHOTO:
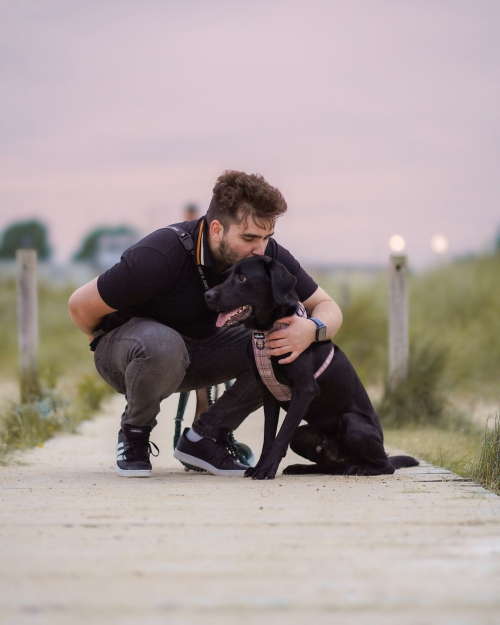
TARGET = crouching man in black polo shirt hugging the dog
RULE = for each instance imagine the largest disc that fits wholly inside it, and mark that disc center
(154, 335)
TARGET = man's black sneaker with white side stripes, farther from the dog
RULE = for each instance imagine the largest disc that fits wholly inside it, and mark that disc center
(133, 451)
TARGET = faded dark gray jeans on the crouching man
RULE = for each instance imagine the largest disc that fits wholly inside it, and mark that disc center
(148, 361)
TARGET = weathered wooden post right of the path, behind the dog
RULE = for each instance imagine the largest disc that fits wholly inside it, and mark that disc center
(398, 320)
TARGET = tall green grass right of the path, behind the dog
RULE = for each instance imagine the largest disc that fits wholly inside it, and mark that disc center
(454, 358)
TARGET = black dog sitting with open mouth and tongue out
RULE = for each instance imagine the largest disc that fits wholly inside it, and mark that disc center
(343, 435)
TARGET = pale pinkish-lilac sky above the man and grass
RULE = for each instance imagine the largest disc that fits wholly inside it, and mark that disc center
(373, 118)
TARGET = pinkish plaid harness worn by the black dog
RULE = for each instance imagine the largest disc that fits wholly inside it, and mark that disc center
(262, 354)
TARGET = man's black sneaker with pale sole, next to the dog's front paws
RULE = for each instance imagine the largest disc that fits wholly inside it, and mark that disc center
(213, 456)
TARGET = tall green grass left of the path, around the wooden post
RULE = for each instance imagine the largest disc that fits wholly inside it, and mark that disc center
(71, 388)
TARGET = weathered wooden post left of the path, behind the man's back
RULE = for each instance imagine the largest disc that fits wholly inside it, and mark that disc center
(28, 323)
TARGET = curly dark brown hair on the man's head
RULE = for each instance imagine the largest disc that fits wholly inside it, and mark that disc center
(237, 196)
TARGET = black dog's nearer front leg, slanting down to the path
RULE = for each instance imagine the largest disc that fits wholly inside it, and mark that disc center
(301, 399)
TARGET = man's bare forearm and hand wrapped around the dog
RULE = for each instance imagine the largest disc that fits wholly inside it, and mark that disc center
(302, 332)
